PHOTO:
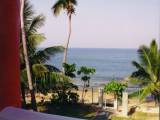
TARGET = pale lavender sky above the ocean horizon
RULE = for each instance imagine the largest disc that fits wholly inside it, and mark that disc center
(102, 23)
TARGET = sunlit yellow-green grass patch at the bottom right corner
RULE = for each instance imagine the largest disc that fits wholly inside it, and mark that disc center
(138, 116)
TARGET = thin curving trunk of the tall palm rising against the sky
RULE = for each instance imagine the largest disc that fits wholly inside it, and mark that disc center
(67, 42)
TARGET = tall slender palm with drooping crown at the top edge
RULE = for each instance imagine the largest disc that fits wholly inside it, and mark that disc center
(69, 7)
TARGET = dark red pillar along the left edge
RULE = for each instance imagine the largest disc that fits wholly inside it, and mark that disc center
(9, 54)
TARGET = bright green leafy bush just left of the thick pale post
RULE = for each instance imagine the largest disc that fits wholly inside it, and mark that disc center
(115, 87)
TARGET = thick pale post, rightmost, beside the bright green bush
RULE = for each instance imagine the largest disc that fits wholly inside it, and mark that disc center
(125, 104)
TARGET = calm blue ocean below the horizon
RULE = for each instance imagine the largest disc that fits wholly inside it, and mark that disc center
(109, 63)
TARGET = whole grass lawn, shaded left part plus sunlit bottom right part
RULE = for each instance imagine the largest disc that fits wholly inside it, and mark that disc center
(88, 112)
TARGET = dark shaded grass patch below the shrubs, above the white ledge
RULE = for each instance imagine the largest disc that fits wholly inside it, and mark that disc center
(76, 110)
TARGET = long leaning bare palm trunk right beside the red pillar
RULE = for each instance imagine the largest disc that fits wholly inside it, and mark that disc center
(29, 75)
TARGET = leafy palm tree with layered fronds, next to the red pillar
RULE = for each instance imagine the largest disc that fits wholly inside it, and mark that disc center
(36, 58)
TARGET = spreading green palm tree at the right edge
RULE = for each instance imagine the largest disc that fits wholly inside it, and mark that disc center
(148, 71)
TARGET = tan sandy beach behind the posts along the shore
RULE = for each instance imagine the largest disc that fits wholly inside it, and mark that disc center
(145, 106)
